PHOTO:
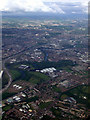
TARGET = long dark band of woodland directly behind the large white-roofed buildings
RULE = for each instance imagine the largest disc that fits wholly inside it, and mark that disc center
(41, 65)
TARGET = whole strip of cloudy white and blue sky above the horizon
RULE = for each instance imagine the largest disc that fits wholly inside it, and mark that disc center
(52, 6)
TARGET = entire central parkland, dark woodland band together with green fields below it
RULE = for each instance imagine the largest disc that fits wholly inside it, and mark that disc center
(32, 76)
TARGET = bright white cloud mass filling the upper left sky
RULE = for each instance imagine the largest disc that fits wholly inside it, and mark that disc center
(27, 5)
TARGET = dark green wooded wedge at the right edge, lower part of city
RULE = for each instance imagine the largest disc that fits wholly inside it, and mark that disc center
(80, 93)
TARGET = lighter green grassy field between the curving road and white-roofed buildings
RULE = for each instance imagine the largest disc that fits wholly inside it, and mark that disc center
(32, 77)
